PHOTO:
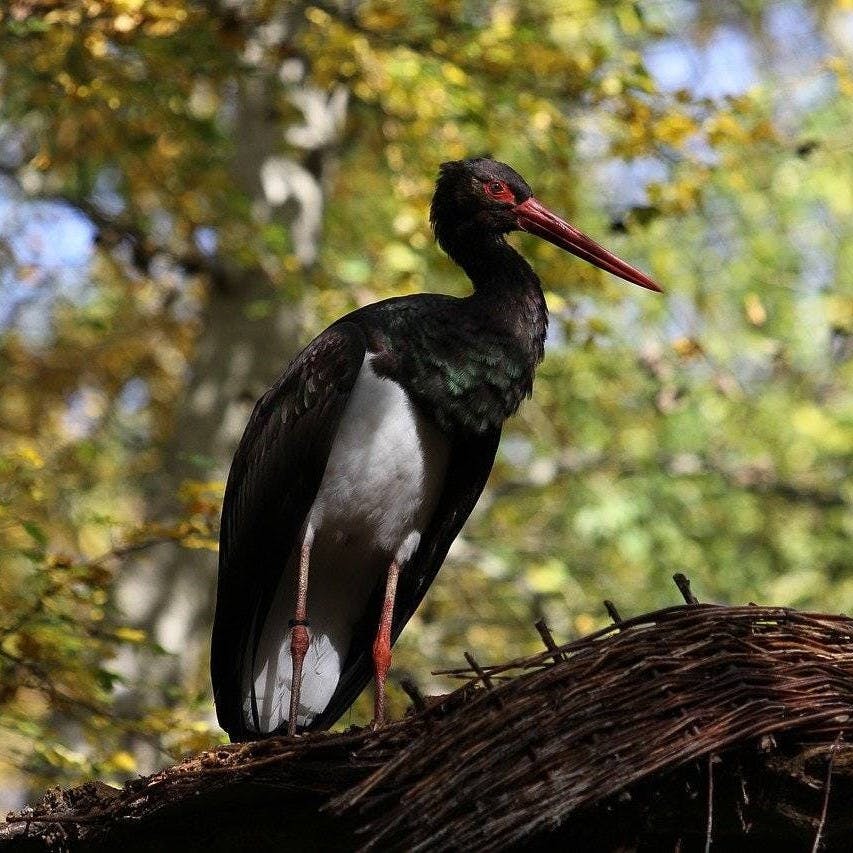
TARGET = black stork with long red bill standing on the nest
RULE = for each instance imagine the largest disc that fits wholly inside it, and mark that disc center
(360, 465)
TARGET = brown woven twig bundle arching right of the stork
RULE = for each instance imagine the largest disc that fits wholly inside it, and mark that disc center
(631, 701)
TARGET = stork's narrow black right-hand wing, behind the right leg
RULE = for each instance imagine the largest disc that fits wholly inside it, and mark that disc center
(468, 468)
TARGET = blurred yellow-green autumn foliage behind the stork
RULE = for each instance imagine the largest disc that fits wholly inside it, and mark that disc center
(708, 431)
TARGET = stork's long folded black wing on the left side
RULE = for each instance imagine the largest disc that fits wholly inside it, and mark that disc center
(272, 484)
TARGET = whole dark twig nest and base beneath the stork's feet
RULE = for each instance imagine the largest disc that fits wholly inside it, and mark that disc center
(630, 721)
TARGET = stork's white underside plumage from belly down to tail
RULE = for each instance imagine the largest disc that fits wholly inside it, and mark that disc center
(378, 493)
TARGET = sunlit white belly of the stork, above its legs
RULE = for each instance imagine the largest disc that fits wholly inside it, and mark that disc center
(385, 470)
